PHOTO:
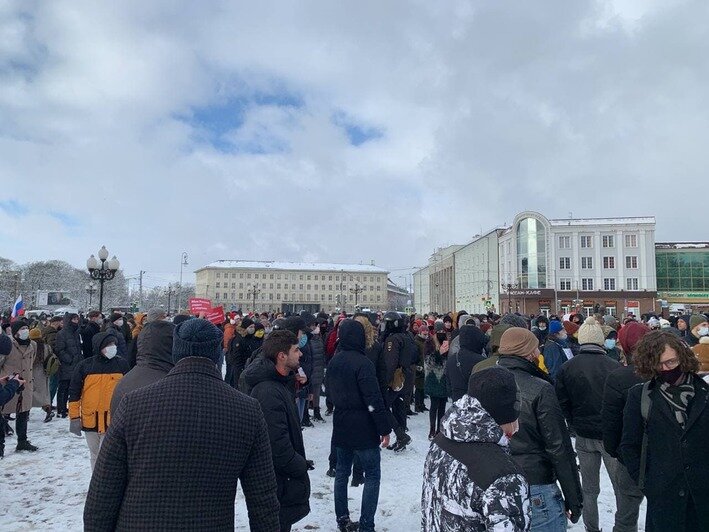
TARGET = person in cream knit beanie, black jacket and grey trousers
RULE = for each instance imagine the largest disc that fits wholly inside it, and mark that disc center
(579, 387)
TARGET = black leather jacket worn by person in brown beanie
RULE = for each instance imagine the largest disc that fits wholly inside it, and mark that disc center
(542, 447)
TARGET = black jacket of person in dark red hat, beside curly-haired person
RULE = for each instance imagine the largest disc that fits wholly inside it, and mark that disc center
(615, 395)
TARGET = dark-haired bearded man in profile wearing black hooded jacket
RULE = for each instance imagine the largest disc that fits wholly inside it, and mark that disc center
(269, 376)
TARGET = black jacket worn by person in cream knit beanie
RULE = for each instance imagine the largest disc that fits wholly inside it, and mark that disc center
(579, 387)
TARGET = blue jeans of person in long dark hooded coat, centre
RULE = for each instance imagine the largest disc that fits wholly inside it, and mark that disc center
(371, 464)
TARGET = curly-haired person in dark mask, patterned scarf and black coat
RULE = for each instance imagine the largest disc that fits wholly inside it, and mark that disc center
(665, 427)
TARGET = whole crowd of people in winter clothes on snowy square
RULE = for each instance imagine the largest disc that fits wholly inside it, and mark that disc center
(523, 412)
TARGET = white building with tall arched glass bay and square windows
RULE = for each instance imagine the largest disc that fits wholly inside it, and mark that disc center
(549, 265)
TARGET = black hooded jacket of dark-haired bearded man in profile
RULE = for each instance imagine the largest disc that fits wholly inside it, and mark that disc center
(272, 391)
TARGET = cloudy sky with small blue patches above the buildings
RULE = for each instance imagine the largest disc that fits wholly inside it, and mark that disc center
(341, 131)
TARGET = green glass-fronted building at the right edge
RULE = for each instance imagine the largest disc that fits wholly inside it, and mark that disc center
(683, 275)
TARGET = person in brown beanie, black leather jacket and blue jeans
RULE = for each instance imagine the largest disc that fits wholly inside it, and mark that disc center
(542, 447)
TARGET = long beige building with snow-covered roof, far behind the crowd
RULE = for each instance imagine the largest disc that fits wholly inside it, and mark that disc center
(291, 286)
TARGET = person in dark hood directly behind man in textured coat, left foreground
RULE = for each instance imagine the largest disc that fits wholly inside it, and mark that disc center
(153, 362)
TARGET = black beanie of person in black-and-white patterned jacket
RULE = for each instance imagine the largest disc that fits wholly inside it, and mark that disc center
(496, 390)
